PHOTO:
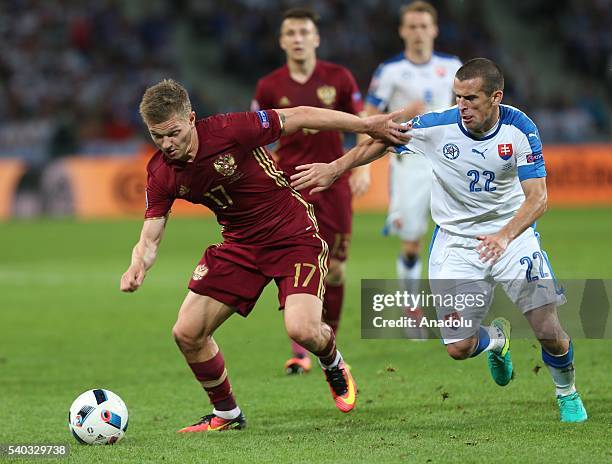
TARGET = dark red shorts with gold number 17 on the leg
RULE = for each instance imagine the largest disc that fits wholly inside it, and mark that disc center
(236, 274)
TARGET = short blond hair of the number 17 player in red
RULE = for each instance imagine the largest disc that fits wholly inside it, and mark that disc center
(163, 100)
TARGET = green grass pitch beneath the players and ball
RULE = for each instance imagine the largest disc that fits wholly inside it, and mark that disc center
(65, 328)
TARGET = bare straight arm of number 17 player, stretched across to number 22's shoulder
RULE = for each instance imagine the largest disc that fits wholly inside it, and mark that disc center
(381, 127)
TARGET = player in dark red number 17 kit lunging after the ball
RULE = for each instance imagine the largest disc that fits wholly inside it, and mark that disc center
(269, 232)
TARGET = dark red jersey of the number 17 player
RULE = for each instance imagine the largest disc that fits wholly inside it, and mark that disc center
(236, 178)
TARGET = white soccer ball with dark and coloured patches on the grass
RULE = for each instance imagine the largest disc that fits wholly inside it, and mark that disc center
(98, 417)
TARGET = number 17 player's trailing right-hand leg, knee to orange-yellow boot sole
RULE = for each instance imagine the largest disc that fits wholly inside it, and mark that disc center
(304, 325)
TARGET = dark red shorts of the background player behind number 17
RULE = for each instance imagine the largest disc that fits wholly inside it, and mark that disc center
(334, 213)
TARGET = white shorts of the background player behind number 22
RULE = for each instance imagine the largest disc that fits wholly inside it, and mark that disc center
(410, 196)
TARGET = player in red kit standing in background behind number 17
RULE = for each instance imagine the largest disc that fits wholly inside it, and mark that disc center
(304, 80)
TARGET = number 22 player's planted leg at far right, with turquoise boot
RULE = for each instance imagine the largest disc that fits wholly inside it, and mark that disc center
(558, 355)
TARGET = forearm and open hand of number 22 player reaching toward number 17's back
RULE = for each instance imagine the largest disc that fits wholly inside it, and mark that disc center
(319, 176)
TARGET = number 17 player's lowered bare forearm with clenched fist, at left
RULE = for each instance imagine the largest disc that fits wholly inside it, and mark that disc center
(143, 254)
